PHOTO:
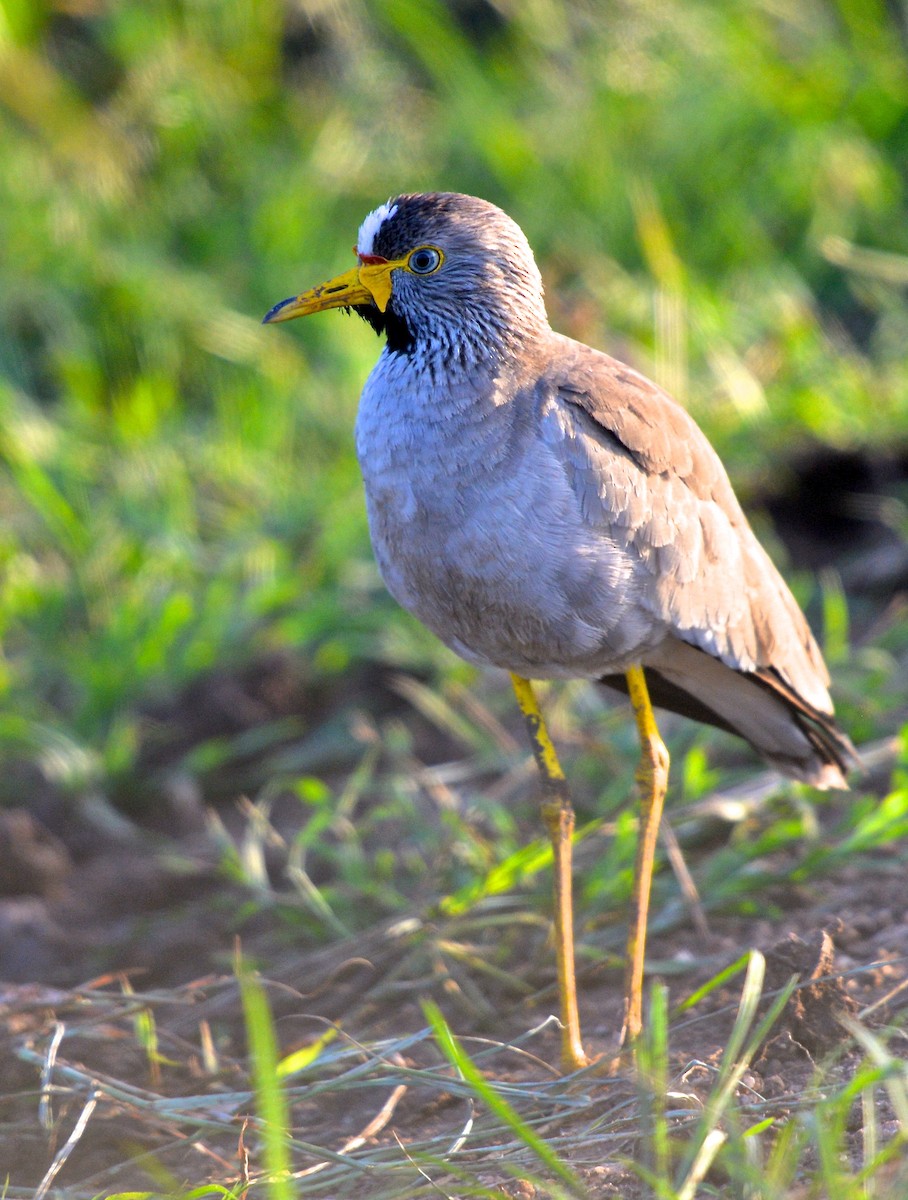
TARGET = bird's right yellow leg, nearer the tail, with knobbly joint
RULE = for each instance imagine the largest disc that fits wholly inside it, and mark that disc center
(653, 782)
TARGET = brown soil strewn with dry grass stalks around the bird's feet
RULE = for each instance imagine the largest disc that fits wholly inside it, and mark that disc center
(94, 905)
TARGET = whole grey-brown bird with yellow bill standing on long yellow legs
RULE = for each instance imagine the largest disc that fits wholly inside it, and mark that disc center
(549, 511)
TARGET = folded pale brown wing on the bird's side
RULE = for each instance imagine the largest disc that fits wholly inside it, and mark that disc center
(642, 469)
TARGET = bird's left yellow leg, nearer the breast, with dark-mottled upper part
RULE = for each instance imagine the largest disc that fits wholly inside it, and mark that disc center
(558, 819)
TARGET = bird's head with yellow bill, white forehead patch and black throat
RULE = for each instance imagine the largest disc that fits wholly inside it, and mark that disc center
(437, 269)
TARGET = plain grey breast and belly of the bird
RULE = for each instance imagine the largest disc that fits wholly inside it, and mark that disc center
(478, 532)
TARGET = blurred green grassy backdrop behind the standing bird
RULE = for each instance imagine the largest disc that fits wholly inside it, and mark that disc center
(715, 191)
